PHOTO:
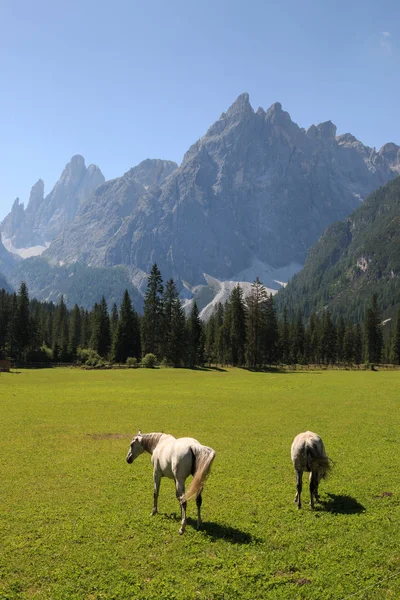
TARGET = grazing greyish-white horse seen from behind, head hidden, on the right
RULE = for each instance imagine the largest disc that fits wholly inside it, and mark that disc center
(308, 454)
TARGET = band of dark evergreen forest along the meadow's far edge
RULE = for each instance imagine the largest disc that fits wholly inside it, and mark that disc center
(245, 332)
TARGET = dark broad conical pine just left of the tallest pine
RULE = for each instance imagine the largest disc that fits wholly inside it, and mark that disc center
(126, 342)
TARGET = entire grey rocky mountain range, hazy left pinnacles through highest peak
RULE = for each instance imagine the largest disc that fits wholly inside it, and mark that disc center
(250, 197)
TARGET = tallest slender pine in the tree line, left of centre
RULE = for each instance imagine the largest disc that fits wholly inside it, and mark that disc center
(152, 321)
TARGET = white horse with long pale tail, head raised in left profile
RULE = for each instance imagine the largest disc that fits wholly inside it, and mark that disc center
(176, 459)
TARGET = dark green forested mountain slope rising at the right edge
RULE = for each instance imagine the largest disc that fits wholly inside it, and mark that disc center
(353, 260)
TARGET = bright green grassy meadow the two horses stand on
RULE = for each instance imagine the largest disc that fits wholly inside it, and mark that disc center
(75, 517)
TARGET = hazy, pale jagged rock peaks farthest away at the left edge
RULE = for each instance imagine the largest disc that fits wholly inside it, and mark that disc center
(29, 231)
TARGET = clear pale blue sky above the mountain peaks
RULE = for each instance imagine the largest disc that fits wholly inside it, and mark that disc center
(122, 81)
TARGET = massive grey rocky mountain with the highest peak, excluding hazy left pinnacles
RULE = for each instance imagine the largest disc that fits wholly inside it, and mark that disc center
(256, 189)
